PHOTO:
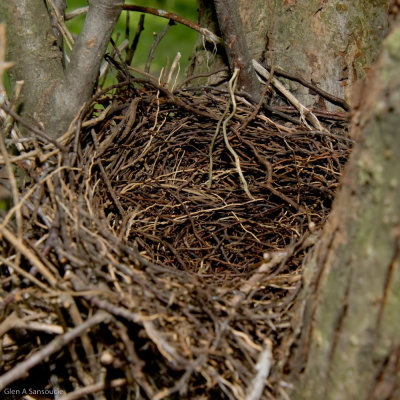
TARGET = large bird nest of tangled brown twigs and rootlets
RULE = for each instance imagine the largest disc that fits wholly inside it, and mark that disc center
(155, 250)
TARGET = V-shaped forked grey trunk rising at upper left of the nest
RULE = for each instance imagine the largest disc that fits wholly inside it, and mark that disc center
(52, 95)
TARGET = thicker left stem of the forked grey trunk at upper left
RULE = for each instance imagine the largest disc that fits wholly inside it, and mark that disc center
(33, 48)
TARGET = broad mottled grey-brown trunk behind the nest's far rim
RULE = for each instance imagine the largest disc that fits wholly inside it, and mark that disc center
(331, 44)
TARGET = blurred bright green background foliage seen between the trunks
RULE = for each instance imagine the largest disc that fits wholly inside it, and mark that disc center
(179, 37)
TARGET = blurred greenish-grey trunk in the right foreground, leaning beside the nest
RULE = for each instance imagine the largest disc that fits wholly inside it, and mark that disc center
(350, 339)
